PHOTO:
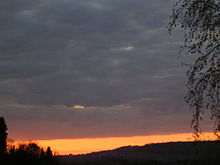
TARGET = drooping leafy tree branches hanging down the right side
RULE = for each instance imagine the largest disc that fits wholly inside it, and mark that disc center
(200, 20)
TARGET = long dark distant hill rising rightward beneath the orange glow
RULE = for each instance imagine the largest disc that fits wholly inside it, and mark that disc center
(162, 152)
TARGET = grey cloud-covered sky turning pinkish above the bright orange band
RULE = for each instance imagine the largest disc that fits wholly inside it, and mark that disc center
(90, 68)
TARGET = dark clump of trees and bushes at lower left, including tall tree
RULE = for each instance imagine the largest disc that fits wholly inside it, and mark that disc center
(23, 154)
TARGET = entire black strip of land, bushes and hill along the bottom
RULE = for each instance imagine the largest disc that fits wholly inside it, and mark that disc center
(178, 153)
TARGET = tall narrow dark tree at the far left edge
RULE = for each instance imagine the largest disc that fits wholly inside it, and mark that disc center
(3, 136)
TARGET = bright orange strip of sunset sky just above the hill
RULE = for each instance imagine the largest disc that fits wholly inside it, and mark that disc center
(87, 145)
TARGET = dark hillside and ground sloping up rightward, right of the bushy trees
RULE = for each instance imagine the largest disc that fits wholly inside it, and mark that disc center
(178, 153)
